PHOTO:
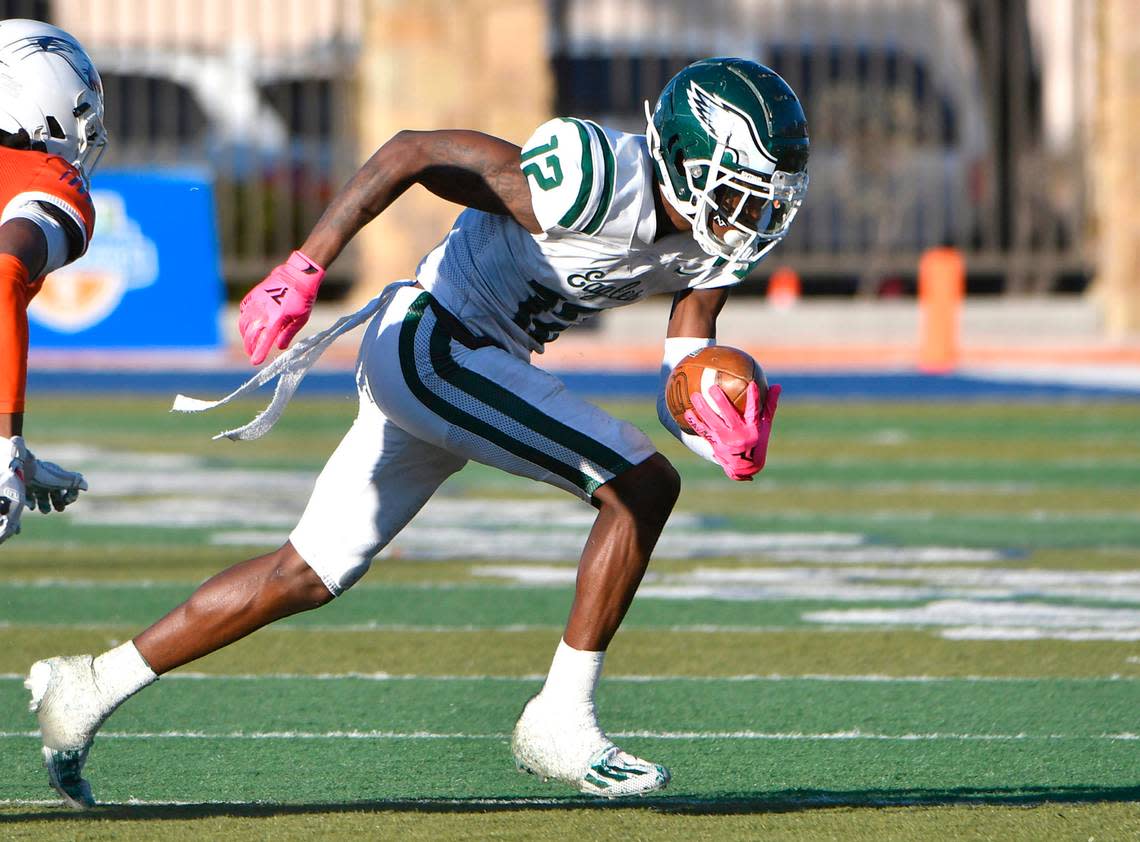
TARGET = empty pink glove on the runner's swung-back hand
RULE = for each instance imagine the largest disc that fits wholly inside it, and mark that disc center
(279, 307)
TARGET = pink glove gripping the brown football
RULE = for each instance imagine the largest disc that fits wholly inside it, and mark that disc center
(740, 444)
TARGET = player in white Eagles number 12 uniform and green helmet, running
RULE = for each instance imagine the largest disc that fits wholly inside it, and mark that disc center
(582, 219)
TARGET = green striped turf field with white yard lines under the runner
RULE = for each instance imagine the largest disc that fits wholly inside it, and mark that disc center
(923, 623)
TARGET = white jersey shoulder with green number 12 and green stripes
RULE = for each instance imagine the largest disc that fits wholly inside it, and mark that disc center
(581, 175)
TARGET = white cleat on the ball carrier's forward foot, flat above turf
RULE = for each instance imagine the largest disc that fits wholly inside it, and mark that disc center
(560, 743)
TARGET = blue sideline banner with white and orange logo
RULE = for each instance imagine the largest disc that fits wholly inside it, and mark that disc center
(151, 277)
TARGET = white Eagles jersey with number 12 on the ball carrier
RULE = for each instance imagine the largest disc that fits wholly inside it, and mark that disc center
(593, 194)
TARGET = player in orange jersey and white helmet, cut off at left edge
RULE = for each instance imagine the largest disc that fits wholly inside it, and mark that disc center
(51, 138)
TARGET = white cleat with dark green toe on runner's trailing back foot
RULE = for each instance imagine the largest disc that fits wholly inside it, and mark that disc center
(70, 708)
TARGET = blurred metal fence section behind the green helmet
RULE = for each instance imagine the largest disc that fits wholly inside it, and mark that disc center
(933, 122)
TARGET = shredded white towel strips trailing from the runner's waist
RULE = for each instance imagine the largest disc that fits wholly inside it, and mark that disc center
(291, 367)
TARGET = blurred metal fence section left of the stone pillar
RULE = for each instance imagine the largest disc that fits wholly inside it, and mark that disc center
(258, 93)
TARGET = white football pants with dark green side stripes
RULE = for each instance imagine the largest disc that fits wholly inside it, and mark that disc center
(434, 397)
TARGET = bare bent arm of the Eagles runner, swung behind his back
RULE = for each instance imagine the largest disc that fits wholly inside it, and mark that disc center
(468, 168)
